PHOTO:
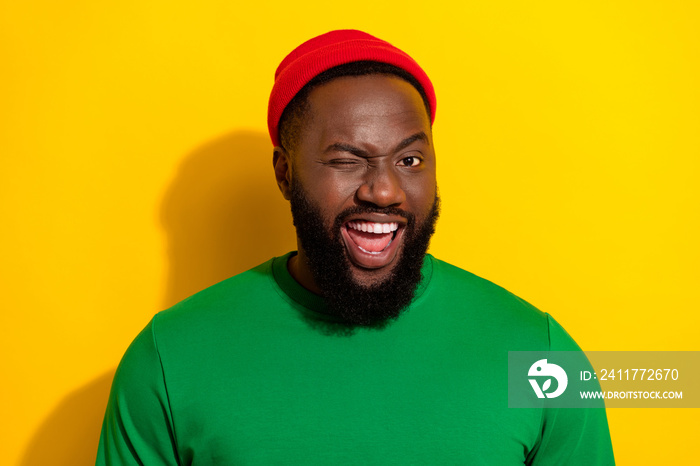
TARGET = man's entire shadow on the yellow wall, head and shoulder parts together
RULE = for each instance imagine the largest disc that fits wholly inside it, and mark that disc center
(223, 214)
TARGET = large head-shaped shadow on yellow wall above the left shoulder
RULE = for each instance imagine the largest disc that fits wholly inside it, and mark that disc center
(223, 214)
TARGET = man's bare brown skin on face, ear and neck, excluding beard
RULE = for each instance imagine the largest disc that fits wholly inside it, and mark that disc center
(367, 142)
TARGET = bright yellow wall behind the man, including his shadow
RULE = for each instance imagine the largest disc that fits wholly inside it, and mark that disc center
(136, 170)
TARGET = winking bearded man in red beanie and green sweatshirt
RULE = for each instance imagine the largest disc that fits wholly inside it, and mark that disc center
(359, 348)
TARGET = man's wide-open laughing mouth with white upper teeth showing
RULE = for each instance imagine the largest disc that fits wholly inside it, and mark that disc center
(372, 244)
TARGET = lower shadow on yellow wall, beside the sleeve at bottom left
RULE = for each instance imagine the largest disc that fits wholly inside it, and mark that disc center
(69, 436)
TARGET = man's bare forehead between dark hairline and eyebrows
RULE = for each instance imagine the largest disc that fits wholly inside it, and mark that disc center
(365, 109)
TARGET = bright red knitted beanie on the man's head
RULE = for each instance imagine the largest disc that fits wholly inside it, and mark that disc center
(326, 51)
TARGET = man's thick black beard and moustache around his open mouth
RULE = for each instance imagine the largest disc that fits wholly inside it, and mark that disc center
(352, 302)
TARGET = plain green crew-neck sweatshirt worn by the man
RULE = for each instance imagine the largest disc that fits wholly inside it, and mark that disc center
(253, 371)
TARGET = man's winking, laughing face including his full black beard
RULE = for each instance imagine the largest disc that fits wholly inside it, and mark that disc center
(364, 188)
